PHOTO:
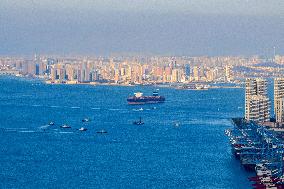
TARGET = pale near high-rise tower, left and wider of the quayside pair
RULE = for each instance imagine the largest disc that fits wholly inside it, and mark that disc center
(257, 104)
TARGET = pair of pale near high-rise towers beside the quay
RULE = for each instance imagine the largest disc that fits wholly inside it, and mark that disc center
(257, 102)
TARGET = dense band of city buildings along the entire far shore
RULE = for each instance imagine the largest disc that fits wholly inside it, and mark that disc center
(145, 70)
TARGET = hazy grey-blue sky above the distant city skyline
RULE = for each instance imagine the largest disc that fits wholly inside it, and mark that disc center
(163, 27)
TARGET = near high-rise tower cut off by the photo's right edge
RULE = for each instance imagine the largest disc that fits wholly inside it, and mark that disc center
(279, 99)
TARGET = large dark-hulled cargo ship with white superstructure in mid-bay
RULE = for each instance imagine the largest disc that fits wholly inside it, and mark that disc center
(138, 98)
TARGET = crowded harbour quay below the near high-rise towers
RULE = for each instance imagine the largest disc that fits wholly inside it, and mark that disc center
(260, 149)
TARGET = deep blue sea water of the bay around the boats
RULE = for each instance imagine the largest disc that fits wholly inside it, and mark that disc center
(196, 154)
